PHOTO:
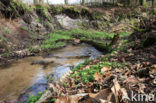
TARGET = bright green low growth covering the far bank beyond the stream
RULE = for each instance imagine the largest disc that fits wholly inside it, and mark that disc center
(95, 38)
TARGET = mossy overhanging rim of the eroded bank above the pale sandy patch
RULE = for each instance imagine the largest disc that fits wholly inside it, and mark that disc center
(76, 11)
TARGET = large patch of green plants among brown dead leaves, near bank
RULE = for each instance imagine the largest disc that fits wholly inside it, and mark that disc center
(87, 75)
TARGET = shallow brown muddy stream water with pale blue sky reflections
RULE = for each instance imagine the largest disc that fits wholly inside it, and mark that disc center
(17, 77)
